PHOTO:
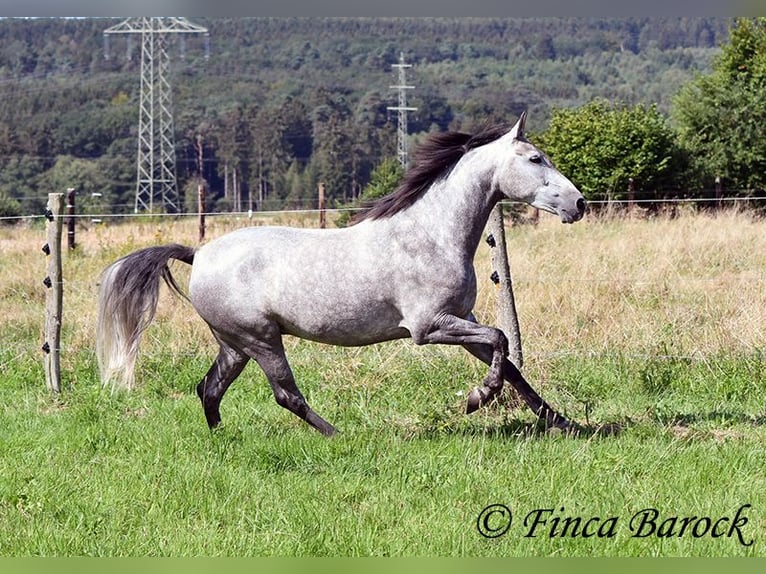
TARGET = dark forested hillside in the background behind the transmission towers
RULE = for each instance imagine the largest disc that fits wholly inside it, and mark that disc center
(281, 104)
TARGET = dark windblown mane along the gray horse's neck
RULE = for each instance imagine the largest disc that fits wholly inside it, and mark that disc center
(434, 158)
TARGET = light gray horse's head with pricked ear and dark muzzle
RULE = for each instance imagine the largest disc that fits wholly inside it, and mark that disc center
(528, 175)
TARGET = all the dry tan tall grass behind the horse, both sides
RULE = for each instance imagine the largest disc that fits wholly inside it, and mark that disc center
(689, 286)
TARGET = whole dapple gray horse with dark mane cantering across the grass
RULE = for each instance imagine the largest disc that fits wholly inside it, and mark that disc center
(403, 268)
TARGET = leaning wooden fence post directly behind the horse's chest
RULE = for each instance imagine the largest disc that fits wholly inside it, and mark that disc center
(507, 318)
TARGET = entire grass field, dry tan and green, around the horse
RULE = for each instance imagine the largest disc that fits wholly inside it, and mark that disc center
(655, 326)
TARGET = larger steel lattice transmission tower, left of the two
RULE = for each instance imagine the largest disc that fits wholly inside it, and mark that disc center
(156, 162)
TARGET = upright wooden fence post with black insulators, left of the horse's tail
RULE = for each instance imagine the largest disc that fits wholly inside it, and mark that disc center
(54, 295)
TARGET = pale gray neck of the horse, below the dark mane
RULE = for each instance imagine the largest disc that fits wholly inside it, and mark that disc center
(454, 211)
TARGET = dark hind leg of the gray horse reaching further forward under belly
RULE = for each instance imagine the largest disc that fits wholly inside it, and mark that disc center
(274, 363)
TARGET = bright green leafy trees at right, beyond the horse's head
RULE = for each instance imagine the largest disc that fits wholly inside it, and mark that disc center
(711, 142)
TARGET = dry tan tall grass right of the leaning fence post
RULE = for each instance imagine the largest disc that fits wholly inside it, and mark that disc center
(686, 286)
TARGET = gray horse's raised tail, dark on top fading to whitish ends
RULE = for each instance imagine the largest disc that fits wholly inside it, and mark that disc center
(127, 302)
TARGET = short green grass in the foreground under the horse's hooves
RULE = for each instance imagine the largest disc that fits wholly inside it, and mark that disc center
(91, 473)
